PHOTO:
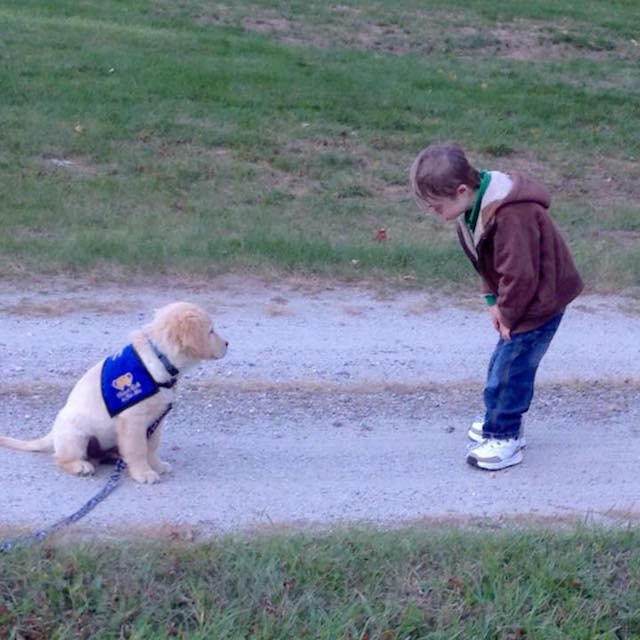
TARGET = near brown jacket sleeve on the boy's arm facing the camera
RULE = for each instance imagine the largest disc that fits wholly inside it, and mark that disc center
(516, 260)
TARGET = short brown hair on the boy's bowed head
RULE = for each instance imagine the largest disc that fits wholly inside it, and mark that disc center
(439, 170)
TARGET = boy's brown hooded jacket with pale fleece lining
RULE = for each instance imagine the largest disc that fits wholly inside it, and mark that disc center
(519, 253)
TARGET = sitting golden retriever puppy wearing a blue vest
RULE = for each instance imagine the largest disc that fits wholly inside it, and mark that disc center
(116, 401)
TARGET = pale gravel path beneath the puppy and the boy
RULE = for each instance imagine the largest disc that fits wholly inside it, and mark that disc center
(333, 405)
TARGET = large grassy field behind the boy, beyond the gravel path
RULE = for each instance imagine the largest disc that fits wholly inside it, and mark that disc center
(275, 137)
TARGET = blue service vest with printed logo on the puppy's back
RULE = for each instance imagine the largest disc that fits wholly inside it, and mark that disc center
(125, 381)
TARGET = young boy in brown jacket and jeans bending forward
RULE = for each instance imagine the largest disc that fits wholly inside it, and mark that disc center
(527, 277)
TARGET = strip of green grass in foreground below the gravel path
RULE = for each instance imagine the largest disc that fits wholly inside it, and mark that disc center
(405, 584)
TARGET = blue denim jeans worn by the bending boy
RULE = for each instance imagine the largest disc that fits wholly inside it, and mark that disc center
(510, 378)
